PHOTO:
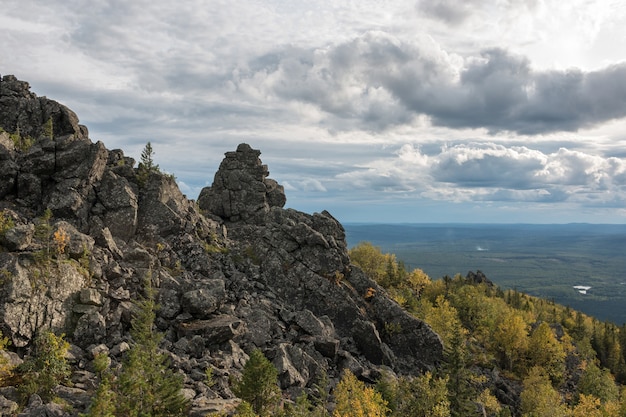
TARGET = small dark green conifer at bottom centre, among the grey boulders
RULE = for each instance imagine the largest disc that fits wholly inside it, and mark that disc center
(259, 384)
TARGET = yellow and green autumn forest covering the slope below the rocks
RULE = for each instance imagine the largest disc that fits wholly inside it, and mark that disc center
(505, 352)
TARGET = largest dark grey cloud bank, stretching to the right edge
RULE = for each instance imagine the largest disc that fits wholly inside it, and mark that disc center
(382, 82)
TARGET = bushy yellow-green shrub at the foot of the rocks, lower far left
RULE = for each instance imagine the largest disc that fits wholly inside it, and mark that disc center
(46, 368)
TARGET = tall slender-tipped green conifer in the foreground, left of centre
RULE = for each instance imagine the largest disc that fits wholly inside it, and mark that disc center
(146, 385)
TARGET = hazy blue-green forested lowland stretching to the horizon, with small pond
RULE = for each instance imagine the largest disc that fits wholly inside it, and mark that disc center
(579, 265)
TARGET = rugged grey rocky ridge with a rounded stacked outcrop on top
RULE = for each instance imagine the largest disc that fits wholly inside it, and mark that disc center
(233, 271)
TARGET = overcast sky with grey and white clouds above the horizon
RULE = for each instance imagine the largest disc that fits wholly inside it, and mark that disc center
(383, 111)
